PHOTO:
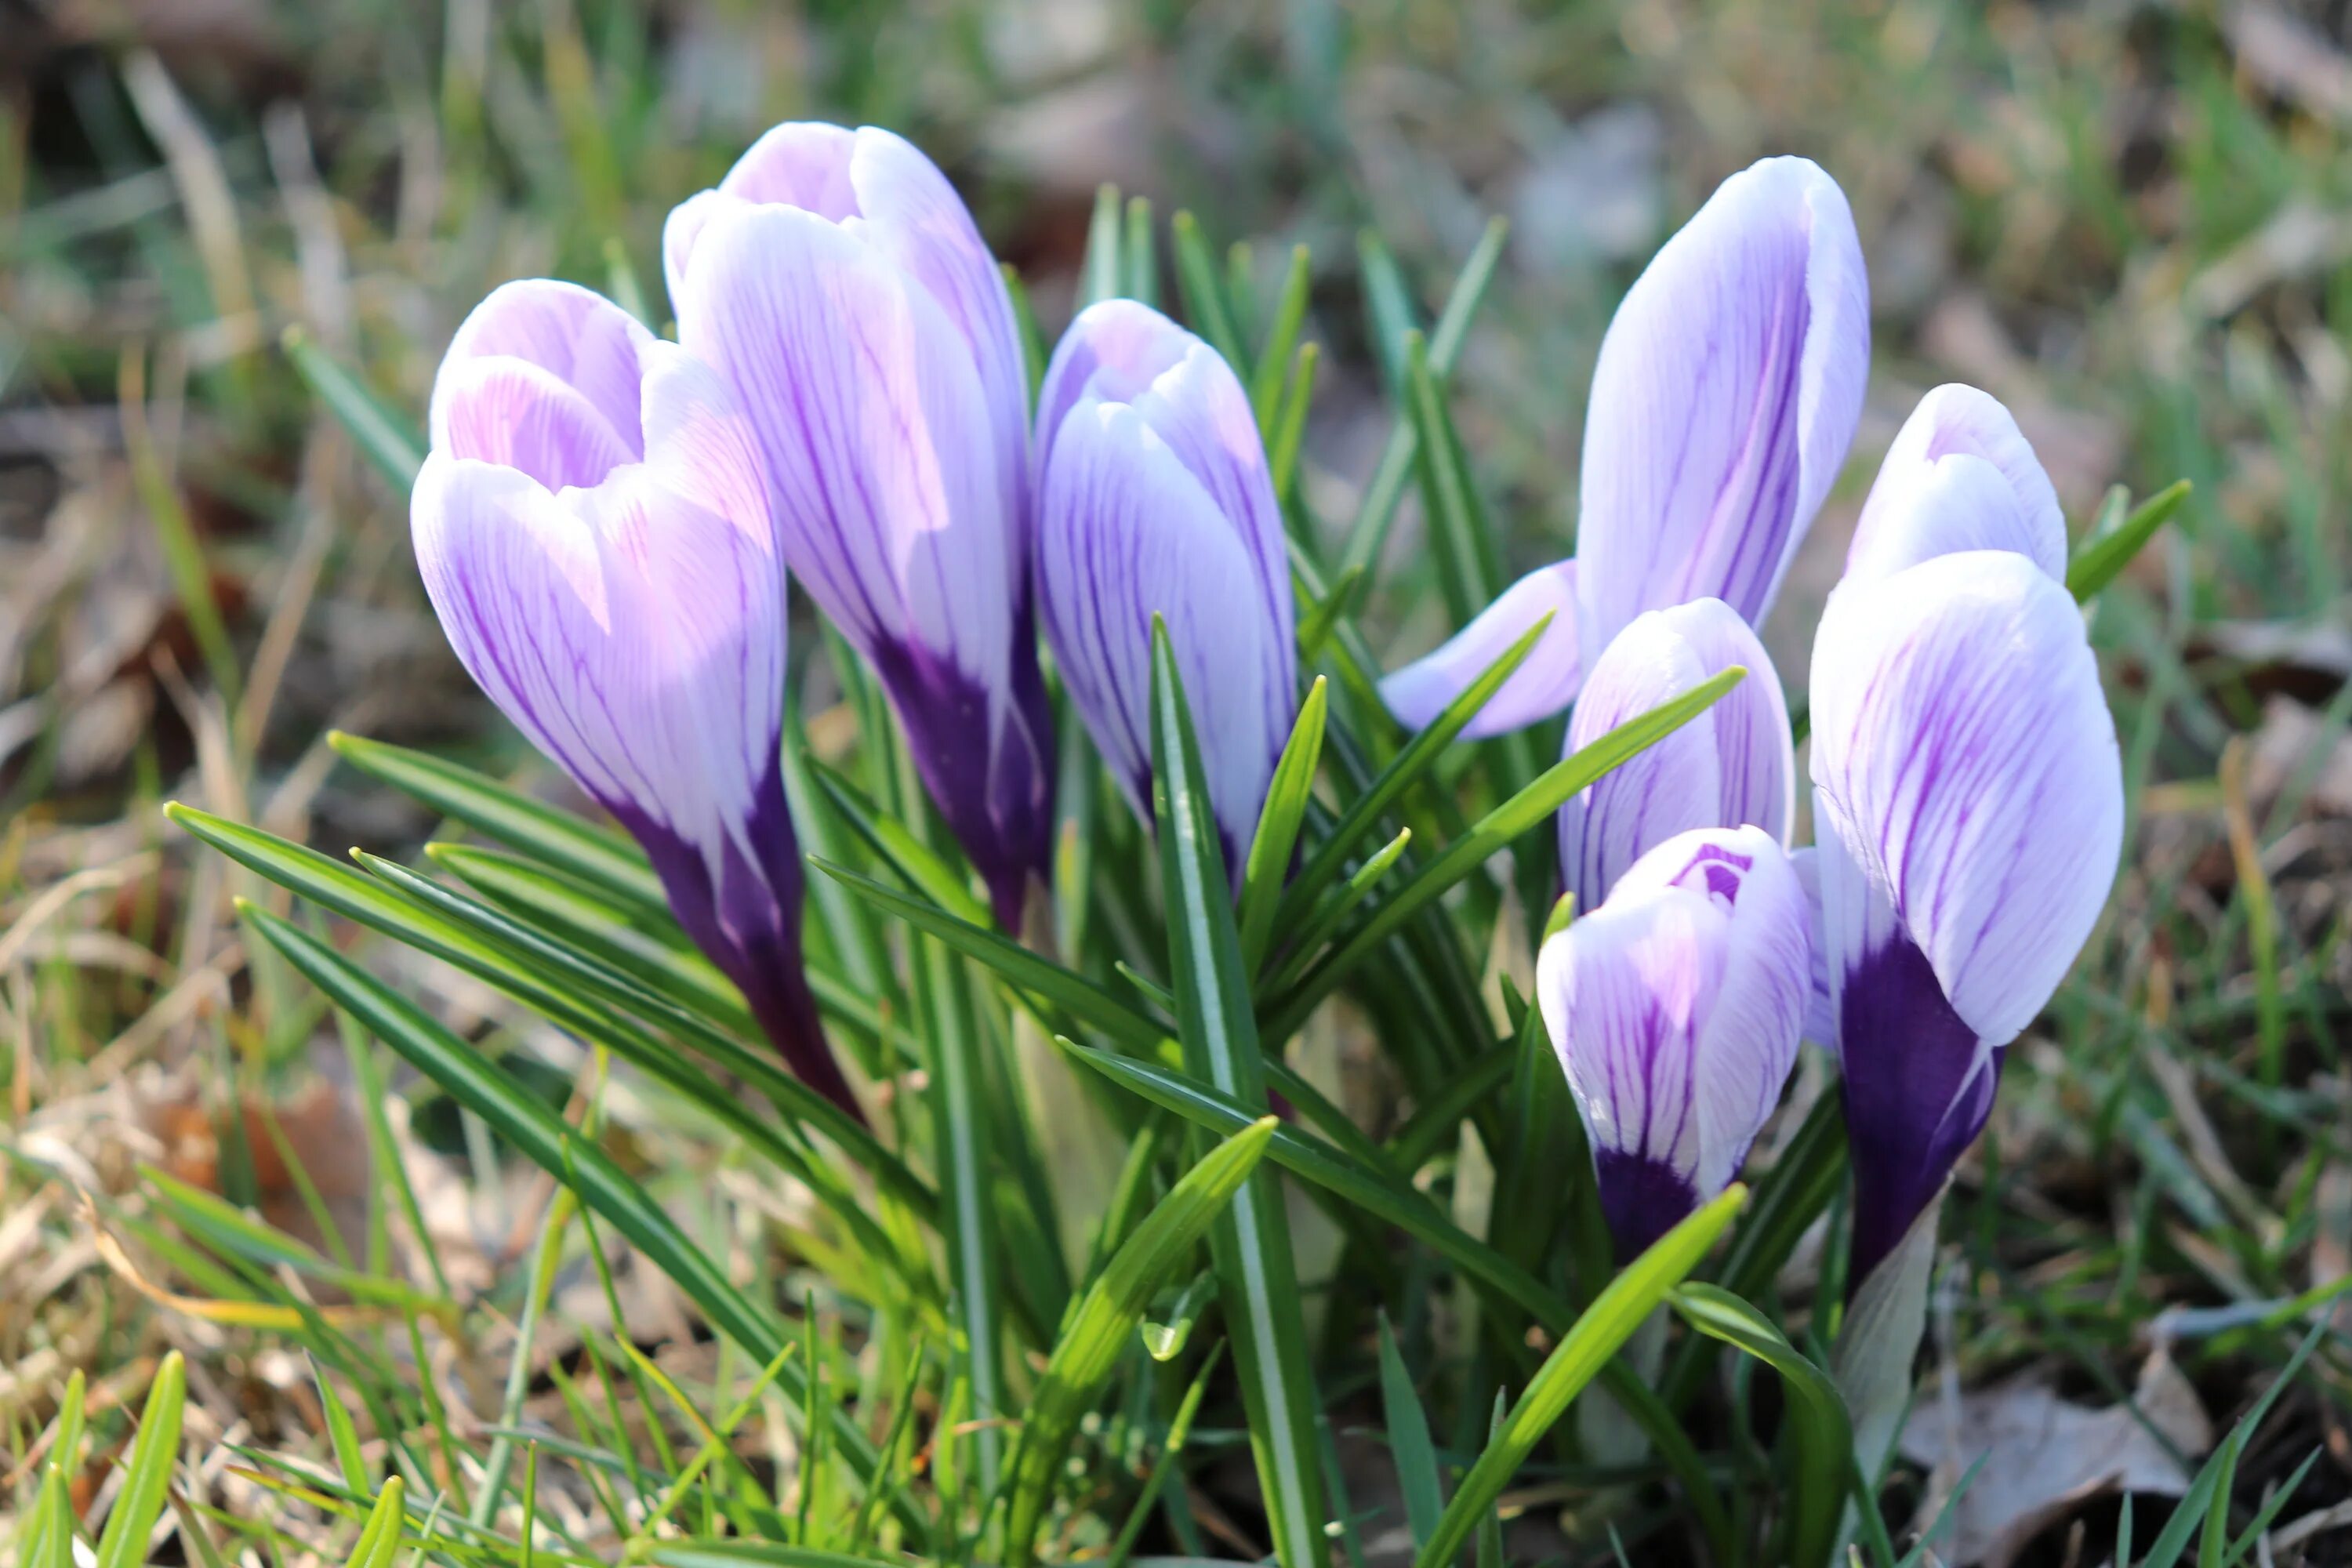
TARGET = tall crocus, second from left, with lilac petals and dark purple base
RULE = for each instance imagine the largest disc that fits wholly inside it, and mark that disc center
(841, 288)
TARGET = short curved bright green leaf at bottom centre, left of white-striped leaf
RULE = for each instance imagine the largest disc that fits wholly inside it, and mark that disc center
(1107, 1318)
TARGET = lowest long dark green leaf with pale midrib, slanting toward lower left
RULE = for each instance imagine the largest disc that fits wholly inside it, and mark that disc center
(554, 1146)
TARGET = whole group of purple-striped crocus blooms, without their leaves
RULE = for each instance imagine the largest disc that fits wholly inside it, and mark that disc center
(608, 521)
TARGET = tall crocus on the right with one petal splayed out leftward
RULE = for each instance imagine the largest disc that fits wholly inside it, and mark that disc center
(1723, 406)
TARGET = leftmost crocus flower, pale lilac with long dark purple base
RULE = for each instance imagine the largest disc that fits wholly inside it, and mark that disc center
(594, 532)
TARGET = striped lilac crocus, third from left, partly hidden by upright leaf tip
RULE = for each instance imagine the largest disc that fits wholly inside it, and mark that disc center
(1156, 500)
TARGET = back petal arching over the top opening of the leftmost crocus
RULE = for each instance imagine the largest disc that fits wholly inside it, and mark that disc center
(580, 337)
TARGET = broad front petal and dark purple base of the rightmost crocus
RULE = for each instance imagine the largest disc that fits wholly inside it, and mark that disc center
(1970, 808)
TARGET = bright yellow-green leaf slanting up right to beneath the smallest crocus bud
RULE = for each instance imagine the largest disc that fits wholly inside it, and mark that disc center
(1582, 1355)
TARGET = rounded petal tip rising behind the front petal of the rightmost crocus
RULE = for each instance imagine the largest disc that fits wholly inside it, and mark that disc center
(1960, 476)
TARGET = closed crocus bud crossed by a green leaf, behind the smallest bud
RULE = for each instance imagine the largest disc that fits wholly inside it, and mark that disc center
(1728, 768)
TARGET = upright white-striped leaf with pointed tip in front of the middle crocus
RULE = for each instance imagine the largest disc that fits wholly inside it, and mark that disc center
(1217, 1026)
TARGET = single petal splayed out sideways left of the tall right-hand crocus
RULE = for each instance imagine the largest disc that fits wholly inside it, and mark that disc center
(1544, 683)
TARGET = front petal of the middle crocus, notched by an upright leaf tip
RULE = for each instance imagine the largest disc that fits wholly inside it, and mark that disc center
(1128, 532)
